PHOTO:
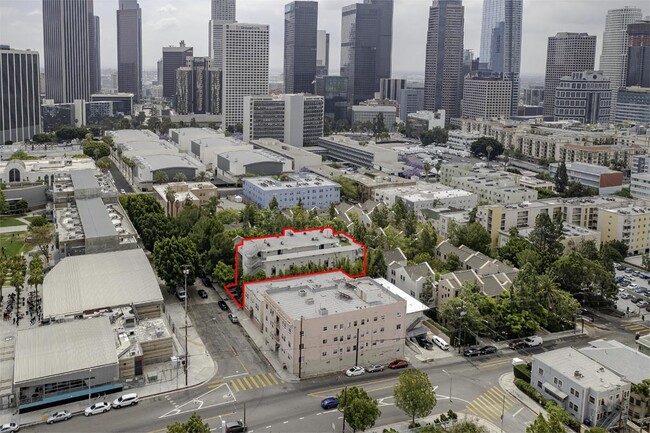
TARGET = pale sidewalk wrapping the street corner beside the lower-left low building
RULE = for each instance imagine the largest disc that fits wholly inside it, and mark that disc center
(201, 368)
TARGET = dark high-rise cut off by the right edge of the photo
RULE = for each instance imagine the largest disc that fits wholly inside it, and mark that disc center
(638, 54)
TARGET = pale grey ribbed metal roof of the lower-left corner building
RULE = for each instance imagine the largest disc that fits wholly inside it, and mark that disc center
(63, 348)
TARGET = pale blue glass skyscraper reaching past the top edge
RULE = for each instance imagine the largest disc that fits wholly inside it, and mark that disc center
(501, 40)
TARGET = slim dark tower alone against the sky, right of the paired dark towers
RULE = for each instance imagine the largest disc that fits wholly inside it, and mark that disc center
(129, 48)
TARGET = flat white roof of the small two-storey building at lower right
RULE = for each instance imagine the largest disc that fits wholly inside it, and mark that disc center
(567, 361)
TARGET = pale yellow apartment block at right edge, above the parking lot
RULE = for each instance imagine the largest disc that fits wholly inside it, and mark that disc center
(630, 224)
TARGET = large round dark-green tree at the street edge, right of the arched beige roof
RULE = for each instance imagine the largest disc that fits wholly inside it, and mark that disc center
(169, 257)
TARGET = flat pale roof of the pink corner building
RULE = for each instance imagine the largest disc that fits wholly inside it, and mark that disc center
(325, 294)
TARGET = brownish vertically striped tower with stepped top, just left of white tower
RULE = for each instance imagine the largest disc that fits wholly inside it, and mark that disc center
(198, 87)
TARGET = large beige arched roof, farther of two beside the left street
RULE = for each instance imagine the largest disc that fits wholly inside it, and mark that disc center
(96, 281)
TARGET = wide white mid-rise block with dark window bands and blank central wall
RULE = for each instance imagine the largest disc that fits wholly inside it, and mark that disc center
(295, 119)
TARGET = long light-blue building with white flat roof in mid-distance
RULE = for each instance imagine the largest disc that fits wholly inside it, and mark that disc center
(310, 190)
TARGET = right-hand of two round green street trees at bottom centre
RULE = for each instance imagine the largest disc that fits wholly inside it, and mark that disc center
(414, 394)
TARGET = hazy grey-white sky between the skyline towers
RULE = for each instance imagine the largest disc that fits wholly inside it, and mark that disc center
(166, 22)
